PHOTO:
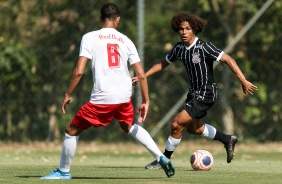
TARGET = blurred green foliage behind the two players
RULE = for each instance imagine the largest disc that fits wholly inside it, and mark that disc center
(39, 45)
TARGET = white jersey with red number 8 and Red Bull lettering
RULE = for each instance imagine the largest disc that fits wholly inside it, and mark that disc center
(109, 51)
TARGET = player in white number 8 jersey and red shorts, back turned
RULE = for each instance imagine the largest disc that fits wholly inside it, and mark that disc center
(109, 52)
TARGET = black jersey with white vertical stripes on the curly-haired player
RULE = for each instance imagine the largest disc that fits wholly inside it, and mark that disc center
(198, 60)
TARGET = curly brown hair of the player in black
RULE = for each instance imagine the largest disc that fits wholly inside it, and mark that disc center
(197, 24)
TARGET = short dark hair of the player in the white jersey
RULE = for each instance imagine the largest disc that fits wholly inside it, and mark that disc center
(110, 11)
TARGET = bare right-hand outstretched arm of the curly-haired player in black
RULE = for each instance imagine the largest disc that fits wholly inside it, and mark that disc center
(247, 86)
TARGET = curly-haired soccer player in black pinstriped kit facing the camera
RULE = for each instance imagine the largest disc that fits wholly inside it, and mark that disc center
(197, 57)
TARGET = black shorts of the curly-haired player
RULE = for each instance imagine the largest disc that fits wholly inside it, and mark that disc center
(196, 107)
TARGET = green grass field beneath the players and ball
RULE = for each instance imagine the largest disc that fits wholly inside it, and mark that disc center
(124, 163)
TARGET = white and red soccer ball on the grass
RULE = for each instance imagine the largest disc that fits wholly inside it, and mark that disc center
(201, 160)
